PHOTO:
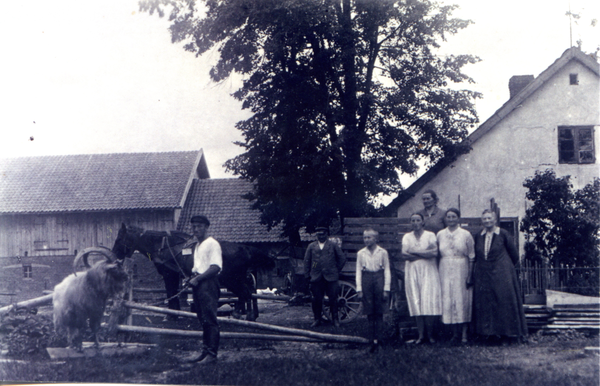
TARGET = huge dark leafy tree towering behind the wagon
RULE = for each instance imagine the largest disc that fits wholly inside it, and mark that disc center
(344, 95)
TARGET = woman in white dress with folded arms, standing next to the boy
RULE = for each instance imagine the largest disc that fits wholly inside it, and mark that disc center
(422, 281)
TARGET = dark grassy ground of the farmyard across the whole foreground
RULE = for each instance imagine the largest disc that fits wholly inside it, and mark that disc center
(544, 359)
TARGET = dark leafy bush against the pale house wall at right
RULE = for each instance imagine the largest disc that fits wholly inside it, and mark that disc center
(562, 226)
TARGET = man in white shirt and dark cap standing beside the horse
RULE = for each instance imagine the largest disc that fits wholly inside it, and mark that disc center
(208, 261)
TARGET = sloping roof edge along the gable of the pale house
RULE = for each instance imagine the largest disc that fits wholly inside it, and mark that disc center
(572, 53)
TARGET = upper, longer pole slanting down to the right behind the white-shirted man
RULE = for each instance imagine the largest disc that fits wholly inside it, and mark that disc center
(262, 326)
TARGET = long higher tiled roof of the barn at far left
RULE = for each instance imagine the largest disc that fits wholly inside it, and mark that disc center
(98, 182)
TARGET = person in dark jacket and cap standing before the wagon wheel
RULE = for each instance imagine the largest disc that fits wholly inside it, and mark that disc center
(323, 262)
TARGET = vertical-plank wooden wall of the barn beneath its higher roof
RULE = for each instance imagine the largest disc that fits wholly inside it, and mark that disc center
(65, 233)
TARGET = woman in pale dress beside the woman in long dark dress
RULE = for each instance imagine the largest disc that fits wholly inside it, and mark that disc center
(457, 252)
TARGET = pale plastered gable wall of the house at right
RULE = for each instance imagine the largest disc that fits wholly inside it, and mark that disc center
(526, 140)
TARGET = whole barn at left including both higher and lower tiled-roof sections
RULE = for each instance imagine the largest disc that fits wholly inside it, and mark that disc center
(51, 207)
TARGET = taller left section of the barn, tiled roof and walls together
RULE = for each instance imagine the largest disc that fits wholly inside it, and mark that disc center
(53, 206)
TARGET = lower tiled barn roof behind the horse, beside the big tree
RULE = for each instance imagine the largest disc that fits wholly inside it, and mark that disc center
(231, 216)
